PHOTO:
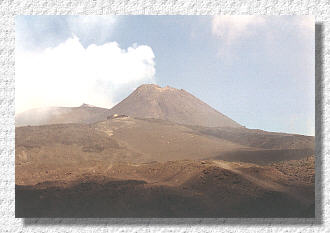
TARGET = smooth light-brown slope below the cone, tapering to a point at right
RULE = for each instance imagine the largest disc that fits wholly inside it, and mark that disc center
(122, 139)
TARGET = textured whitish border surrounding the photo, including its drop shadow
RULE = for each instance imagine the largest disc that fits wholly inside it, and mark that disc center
(321, 10)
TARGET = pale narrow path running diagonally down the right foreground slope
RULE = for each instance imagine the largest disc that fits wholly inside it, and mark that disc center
(270, 185)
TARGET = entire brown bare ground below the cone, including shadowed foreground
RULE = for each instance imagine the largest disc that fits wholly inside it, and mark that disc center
(153, 168)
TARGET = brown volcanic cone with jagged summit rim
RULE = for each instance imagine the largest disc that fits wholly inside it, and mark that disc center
(168, 103)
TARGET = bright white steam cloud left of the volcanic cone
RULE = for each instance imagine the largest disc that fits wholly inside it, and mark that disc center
(69, 74)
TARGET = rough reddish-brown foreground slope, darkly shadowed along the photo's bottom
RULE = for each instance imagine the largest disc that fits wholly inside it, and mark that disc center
(169, 189)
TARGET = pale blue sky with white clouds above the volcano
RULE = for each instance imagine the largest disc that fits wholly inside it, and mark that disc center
(259, 71)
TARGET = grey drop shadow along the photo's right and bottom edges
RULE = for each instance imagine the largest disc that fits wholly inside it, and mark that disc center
(319, 137)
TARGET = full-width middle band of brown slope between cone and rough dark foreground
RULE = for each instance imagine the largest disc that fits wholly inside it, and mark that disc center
(137, 140)
